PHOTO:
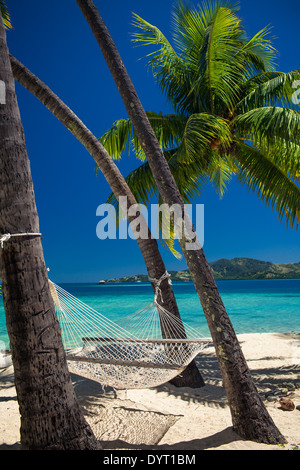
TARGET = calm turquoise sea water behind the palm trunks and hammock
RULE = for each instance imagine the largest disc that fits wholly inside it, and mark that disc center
(253, 306)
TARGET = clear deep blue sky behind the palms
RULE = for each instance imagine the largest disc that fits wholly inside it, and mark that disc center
(53, 39)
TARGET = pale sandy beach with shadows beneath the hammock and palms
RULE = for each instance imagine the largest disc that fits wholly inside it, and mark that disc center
(169, 418)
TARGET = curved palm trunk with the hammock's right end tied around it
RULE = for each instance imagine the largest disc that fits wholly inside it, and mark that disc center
(191, 376)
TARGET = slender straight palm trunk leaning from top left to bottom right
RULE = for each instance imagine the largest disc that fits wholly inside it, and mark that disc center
(249, 415)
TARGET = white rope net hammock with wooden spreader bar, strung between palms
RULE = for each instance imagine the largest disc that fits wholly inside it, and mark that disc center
(128, 354)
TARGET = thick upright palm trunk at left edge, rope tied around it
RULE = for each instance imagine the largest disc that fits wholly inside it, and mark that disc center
(50, 414)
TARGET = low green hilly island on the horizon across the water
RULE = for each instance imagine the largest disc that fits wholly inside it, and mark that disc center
(225, 269)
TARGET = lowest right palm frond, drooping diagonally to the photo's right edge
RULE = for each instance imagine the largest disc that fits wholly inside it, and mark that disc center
(269, 182)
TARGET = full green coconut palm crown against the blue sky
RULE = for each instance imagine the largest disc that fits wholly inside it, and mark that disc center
(234, 113)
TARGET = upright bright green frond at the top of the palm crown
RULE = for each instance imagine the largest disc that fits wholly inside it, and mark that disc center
(208, 39)
